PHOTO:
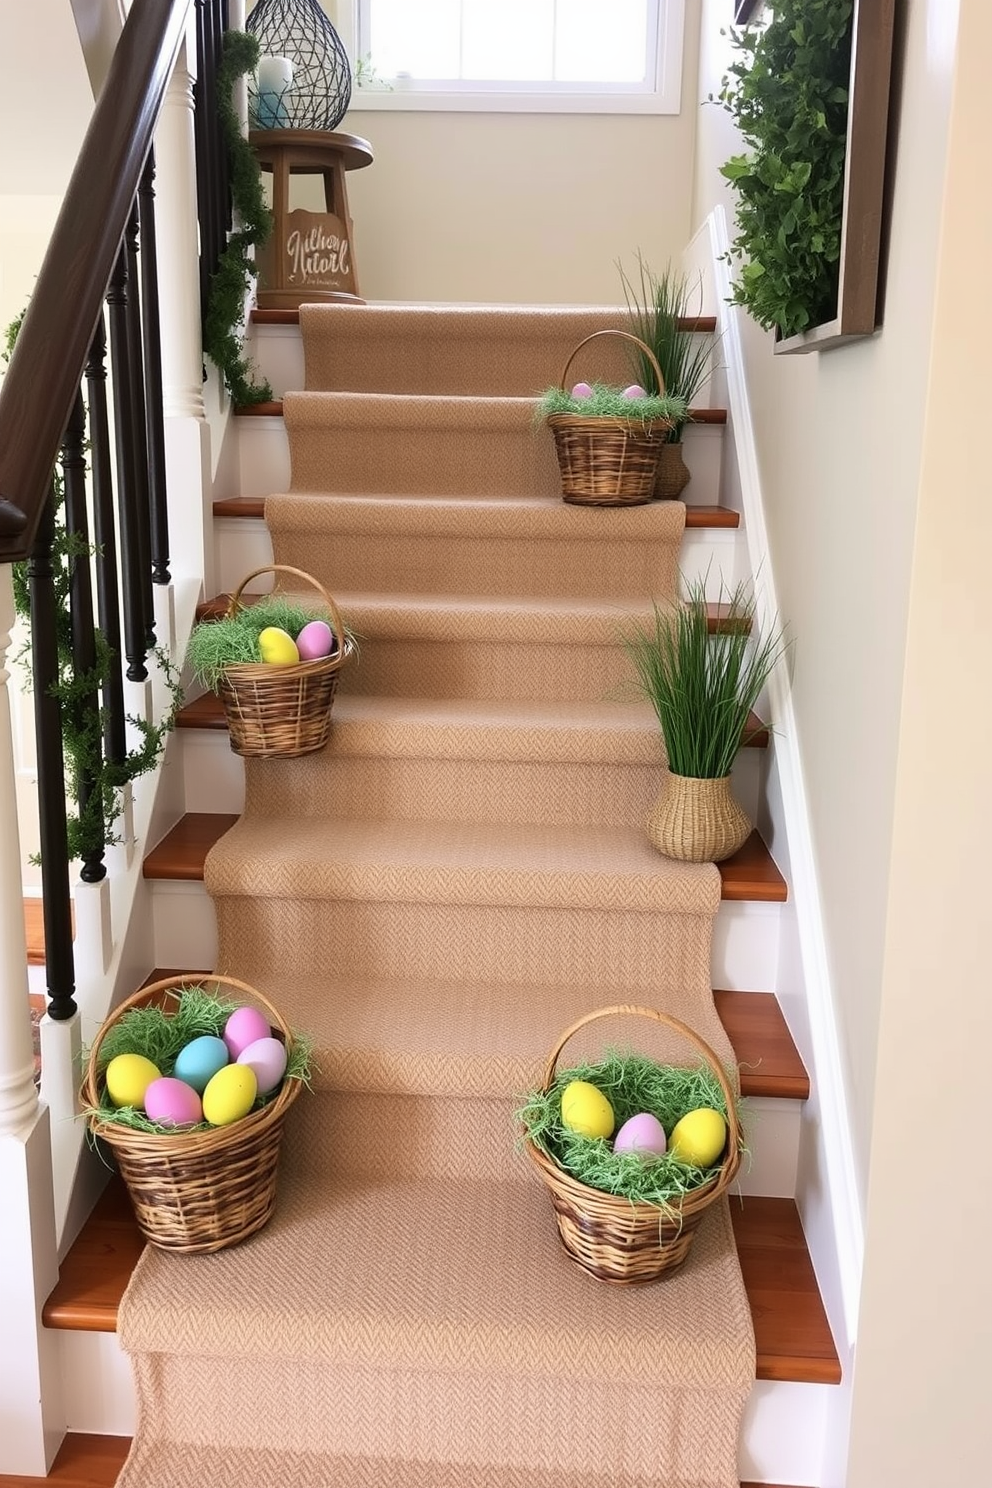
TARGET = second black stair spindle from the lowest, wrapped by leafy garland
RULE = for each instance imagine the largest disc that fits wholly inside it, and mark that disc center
(84, 709)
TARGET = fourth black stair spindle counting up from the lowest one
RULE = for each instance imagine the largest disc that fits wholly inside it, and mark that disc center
(135, 630)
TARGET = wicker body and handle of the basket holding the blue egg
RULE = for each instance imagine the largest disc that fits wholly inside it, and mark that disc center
(197, 1191)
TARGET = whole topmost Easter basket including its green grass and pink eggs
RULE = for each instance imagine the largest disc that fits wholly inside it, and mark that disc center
(609, 441)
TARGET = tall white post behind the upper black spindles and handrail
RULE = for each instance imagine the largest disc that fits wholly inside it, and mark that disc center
(187, 432)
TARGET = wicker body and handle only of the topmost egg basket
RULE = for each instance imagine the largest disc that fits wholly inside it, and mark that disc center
(609, 462)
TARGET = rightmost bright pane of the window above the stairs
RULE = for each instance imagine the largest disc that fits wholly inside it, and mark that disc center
(602, 41)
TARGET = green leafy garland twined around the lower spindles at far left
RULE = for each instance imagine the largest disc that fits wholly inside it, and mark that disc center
(91, 825)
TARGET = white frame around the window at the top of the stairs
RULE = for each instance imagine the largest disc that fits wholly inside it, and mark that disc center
(408, 97)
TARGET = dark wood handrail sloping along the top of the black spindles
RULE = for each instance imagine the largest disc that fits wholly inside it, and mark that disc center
(59, 328)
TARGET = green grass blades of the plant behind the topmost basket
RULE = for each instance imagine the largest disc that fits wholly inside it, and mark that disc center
(658, 306)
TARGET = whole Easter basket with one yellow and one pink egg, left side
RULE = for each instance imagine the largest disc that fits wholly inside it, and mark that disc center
(276, 667)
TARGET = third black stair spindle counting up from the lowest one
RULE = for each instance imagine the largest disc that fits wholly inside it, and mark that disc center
(106, 542)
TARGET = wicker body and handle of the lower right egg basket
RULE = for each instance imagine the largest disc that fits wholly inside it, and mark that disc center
(612, 1237)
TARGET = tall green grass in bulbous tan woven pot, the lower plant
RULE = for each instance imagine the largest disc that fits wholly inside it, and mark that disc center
(703, 690)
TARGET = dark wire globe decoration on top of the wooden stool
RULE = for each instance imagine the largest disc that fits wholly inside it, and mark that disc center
(304, 80)
